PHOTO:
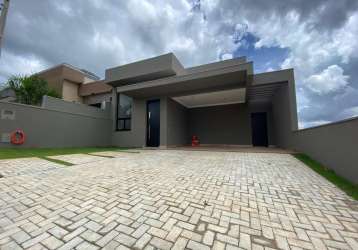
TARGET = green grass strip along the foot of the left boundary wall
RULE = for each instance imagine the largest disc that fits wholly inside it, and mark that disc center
(11, 153)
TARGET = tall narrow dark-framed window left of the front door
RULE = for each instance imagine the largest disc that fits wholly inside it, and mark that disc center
(124, 112)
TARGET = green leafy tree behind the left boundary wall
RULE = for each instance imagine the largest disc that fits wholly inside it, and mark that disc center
(30, 89)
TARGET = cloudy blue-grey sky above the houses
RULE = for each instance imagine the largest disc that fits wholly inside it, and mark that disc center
(318, 38)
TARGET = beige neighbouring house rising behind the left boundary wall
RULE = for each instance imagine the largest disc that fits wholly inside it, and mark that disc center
(77, 85)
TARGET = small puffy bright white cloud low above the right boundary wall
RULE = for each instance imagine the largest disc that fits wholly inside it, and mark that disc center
(329, 80)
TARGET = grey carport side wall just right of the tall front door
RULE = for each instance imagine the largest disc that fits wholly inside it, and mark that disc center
(177, 124)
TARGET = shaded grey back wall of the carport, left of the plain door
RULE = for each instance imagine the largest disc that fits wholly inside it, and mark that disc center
(226, 124)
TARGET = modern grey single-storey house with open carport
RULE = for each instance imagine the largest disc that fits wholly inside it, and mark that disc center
(159, 103)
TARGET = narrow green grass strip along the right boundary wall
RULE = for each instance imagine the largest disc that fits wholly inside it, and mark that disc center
(342, 183)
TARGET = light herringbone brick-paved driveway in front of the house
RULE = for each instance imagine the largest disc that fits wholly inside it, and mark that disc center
(177, 199)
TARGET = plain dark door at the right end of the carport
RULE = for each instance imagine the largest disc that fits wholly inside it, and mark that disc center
(259, 129)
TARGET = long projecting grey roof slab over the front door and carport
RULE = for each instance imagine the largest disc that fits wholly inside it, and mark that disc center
(178, 85)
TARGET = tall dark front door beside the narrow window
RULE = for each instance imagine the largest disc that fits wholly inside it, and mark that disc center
(153, 123)
